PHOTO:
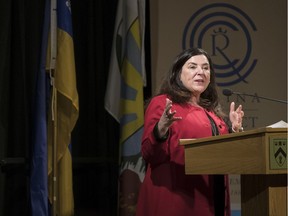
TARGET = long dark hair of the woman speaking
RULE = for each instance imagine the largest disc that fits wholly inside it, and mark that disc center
(178, 93)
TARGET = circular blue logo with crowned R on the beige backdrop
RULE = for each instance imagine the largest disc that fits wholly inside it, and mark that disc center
(225, 32)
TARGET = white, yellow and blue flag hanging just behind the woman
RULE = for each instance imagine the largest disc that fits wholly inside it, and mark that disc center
(124, 97)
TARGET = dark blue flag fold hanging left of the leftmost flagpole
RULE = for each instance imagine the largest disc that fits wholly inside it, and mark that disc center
(39, 157)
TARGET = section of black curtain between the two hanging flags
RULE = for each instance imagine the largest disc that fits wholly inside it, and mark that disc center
(95, 138)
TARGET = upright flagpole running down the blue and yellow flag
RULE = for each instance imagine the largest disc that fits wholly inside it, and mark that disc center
(53, 56)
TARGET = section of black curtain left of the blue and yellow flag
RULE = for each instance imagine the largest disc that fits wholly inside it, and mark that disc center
(20, 35)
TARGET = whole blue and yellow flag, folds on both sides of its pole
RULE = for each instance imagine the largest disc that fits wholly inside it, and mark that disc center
(64, 117)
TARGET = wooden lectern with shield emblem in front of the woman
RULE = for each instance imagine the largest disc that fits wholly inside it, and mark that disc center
(259, 156)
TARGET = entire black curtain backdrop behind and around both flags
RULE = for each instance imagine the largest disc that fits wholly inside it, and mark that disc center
(96, 136)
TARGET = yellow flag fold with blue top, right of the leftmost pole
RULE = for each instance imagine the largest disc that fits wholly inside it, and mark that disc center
(65, 111)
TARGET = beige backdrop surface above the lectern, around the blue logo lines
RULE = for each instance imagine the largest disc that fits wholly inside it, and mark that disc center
(268, 43)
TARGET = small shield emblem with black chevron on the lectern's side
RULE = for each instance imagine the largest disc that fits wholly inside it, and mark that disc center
(278, 153)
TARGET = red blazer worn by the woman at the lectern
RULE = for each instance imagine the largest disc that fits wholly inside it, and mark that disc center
(166, 189)
